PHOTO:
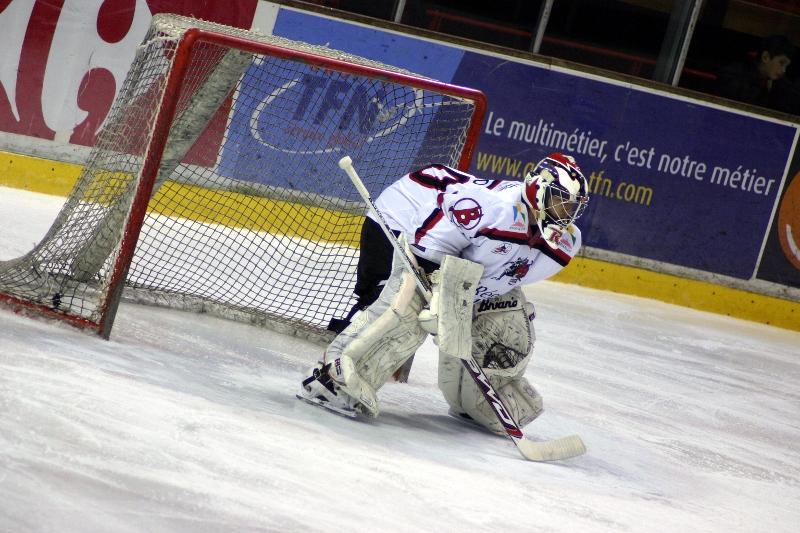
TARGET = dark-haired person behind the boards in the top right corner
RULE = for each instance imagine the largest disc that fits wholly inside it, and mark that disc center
(754, 81)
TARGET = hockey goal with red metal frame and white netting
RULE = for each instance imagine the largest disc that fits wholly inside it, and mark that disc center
(213, 185)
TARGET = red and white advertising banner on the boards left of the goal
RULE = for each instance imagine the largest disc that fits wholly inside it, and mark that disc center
(65, 60)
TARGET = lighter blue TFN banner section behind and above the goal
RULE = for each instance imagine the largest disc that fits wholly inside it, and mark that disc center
(311, 118)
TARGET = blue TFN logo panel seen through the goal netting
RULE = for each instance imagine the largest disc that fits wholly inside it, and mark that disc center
(311, 119)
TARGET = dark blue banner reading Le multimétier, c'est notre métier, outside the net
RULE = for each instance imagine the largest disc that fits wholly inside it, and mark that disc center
(672, 180)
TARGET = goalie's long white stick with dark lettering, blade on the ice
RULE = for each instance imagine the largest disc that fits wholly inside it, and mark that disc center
(550, 450)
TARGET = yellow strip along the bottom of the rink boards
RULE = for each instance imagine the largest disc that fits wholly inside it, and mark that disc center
(225, 208)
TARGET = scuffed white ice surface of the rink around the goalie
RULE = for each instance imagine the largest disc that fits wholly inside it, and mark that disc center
(184, 422)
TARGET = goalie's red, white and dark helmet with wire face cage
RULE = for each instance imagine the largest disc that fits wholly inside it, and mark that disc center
(556, 192)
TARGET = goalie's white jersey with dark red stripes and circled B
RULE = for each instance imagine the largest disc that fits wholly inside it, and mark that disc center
(444, 211)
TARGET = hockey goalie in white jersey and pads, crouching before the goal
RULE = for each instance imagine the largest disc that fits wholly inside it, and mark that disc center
(477, 240)
